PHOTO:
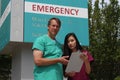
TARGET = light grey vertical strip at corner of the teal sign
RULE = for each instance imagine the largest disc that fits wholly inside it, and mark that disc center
(17, 14)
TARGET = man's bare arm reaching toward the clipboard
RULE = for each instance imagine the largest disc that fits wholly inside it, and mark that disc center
(40, 61)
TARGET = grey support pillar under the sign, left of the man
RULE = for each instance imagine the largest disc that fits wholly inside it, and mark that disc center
(22, 62)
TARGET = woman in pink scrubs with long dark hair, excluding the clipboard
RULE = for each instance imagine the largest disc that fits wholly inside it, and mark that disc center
(71, 45)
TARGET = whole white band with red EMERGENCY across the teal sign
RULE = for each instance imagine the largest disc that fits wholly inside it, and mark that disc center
(49, 9)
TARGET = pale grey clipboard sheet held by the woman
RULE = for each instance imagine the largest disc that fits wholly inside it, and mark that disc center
(75, 63)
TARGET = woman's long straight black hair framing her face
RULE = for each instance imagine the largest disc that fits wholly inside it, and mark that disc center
(66, 49)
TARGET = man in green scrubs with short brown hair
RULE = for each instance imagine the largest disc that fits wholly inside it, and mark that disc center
(47, 53)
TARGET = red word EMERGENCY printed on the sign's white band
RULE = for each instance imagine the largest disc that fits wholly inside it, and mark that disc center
(55, 9)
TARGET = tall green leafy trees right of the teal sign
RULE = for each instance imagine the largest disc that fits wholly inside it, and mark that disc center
(103, 21)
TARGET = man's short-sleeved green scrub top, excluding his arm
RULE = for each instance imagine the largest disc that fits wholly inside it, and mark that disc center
(51, 49)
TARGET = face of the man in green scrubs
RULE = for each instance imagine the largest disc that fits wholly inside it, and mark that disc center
(53, 28)
